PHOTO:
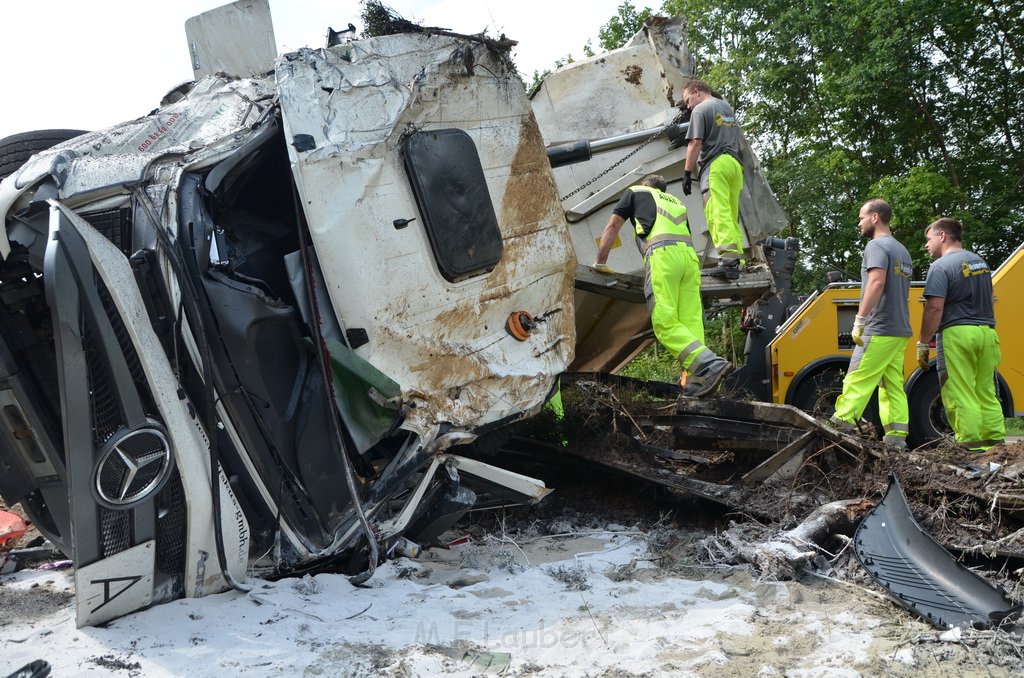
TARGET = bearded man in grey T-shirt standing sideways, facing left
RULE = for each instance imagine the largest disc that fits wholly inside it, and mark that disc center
(881, 330)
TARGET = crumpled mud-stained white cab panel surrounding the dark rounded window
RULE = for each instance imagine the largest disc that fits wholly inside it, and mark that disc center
(445, 344)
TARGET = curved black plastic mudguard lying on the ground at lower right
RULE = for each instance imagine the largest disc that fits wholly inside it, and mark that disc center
(922, 576)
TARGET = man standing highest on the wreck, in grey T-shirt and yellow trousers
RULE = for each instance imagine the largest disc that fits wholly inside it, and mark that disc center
(714, 146)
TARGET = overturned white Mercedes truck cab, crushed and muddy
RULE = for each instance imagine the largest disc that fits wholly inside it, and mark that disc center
(244, 332)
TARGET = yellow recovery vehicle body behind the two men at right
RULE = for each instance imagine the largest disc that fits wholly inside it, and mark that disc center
(812, 351)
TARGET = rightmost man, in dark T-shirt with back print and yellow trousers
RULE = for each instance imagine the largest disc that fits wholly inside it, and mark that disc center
(959, 307)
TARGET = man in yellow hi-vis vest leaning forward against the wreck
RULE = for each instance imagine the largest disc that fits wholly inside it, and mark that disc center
(672, 281)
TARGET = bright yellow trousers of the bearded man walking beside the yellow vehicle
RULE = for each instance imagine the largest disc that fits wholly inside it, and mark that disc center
(879, 364)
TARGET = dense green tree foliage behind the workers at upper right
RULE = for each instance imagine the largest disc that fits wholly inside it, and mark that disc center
(916, 102)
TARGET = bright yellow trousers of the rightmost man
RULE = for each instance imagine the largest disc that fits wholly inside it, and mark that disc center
(967, 359)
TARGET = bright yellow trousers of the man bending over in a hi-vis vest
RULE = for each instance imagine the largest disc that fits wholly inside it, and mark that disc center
(673, 290)
